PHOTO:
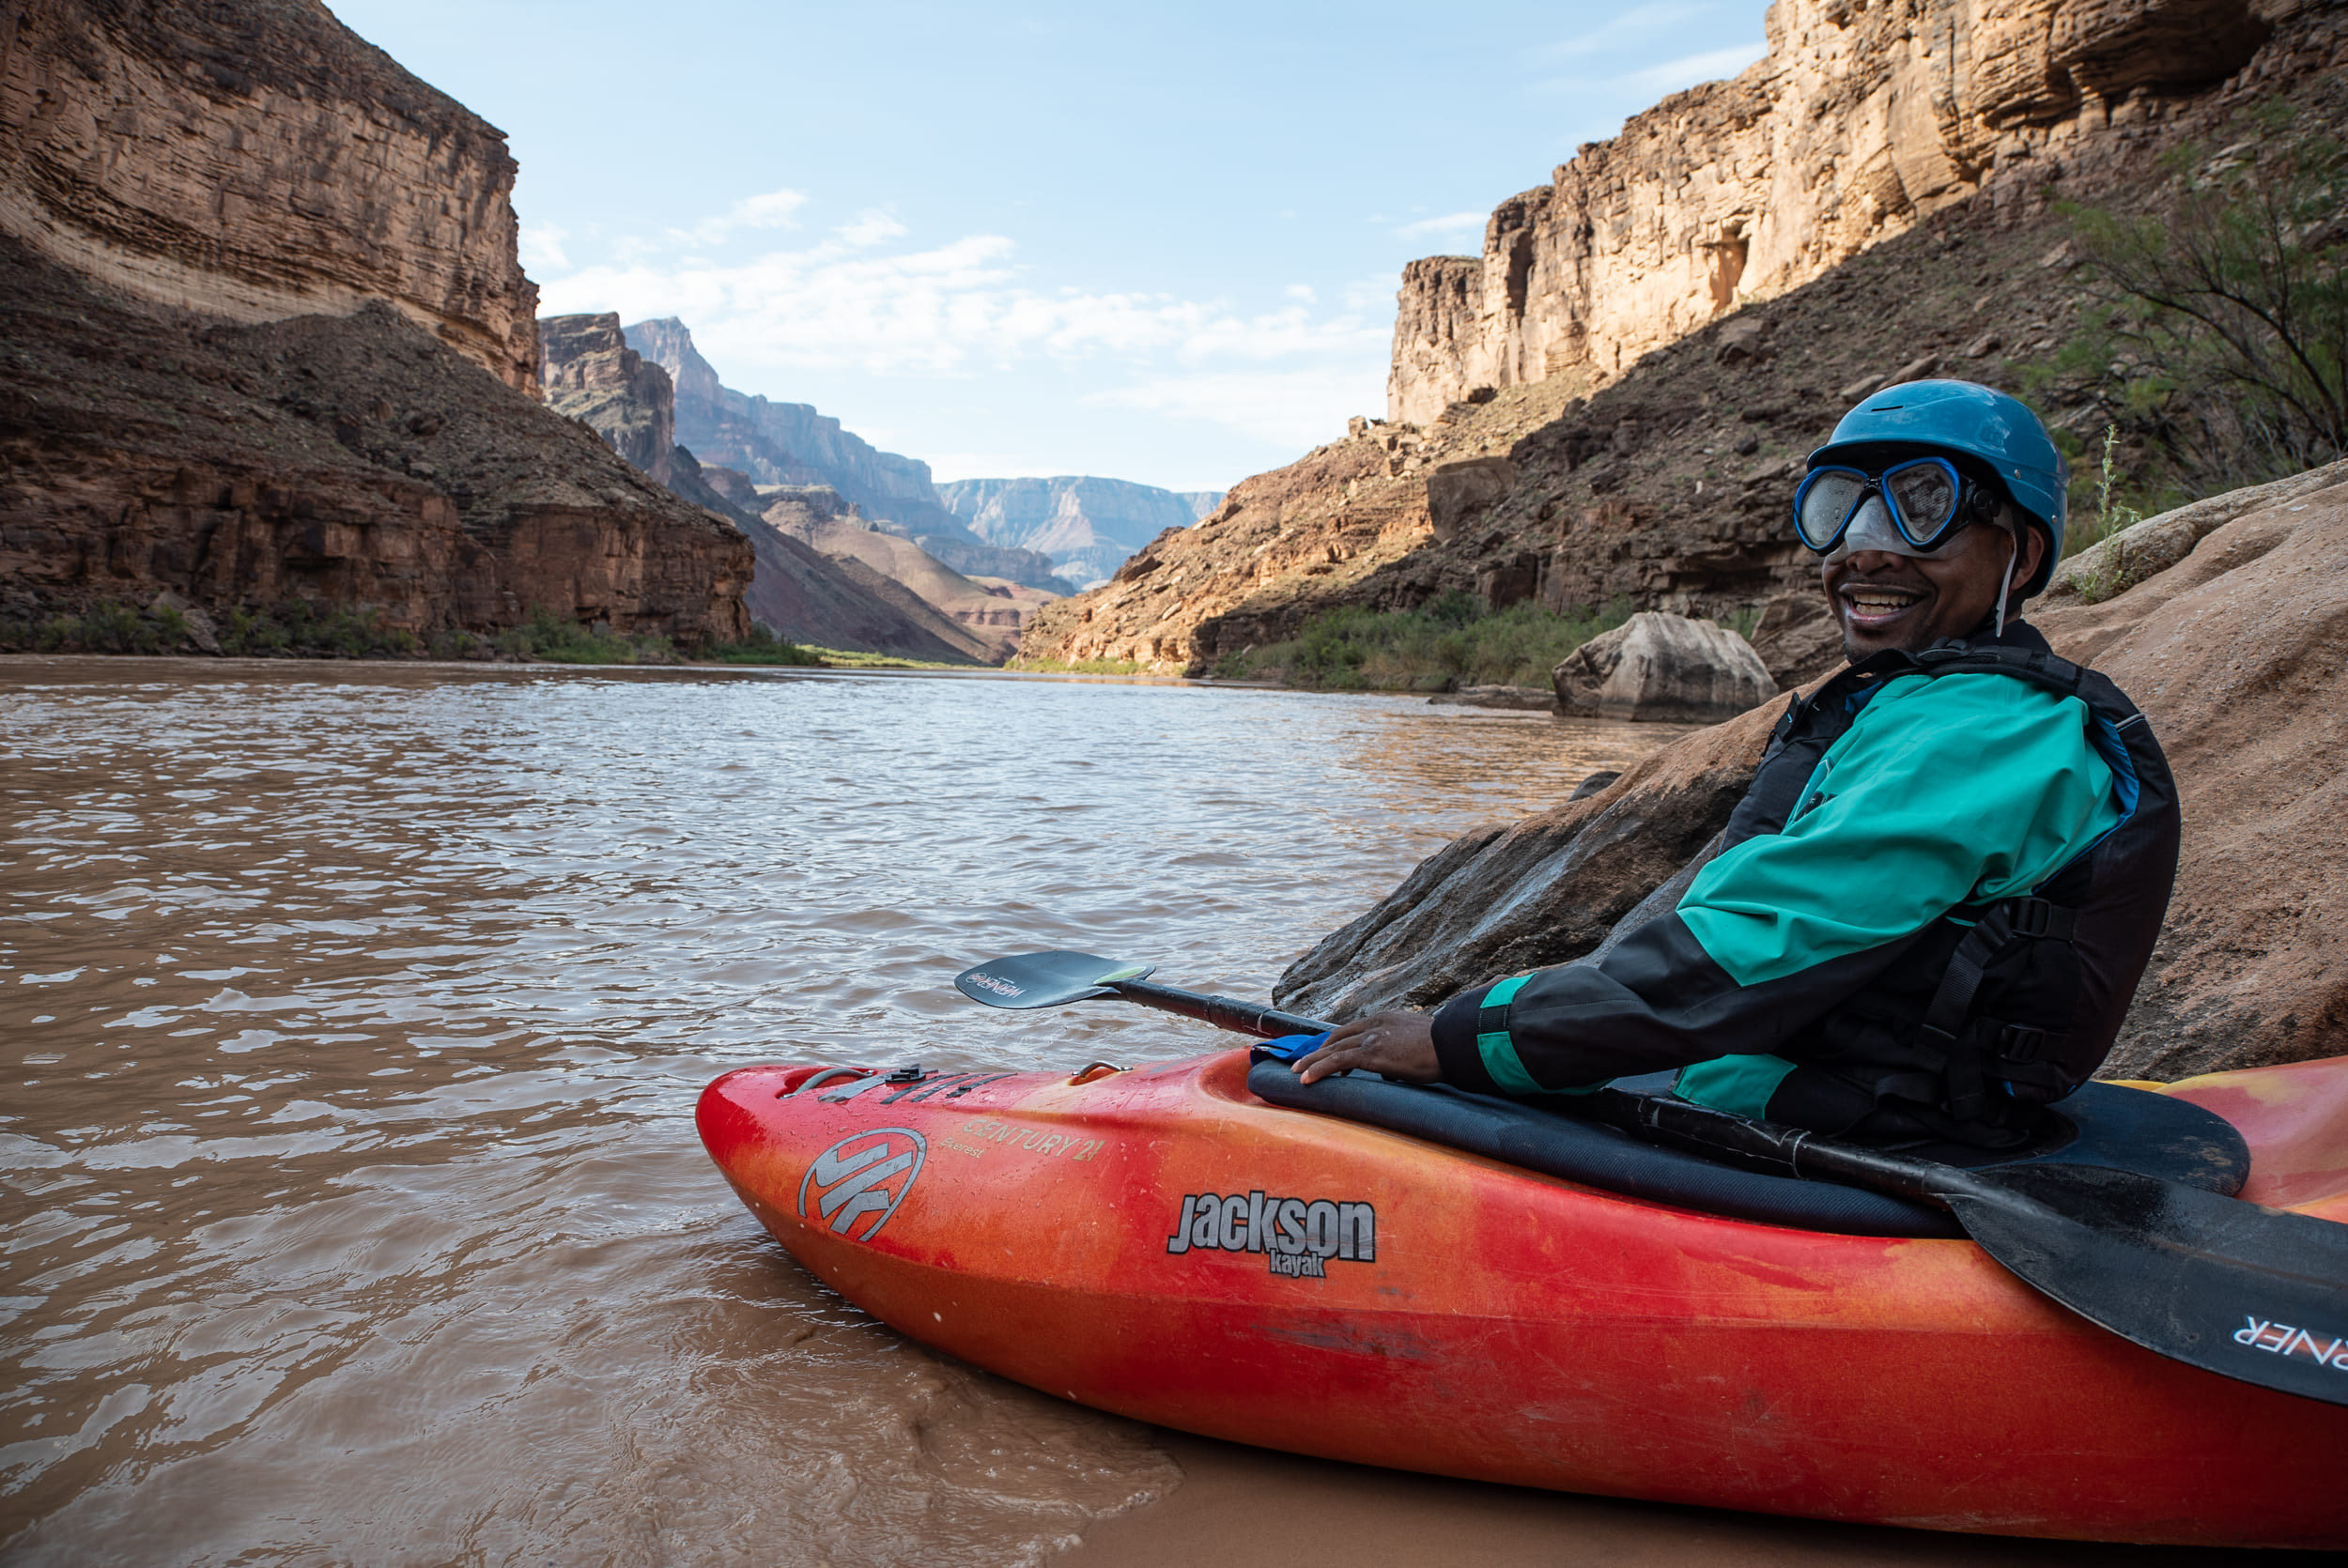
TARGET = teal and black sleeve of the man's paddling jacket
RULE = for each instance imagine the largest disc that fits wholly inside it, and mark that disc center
(1943, 792)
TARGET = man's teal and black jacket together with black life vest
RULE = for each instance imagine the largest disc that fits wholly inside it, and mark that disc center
(1929, 914)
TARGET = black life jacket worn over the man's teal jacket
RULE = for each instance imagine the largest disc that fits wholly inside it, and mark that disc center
(1995, 1011)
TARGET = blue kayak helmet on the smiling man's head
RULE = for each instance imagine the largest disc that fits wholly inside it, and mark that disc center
(1976, 421)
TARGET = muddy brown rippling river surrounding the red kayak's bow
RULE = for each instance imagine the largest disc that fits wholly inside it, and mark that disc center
(353, 1020)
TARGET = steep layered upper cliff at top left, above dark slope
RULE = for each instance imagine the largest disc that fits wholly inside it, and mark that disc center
(257, 161)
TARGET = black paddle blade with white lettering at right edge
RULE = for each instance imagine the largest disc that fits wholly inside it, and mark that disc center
(2246, 1292)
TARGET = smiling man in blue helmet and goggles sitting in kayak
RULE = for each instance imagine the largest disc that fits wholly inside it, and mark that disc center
(1934, 905)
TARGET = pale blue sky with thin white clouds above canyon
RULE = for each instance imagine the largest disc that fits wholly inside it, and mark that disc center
(1149, 243)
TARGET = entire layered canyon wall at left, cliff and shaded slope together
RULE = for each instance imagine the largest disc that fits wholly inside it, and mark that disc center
(269, 346)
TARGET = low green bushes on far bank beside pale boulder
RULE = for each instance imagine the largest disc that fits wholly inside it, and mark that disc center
(1445, 644)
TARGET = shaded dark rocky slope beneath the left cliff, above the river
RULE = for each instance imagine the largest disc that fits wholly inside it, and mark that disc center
(342, 461)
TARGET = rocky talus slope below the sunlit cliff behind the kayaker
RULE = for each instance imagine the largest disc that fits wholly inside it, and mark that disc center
(1668, 485)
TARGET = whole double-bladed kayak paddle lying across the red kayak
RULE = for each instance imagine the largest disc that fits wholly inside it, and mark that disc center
(2239, 1290)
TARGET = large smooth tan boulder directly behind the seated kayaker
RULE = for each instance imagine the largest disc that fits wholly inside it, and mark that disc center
(2239, 654)
